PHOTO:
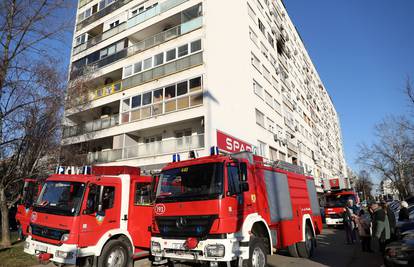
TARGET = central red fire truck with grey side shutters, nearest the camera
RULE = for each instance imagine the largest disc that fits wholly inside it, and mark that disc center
(233, 210)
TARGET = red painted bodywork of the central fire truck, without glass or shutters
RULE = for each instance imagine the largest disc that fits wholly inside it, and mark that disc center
(230, 213)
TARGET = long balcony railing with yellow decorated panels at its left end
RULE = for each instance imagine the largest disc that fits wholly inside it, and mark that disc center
(141, 78)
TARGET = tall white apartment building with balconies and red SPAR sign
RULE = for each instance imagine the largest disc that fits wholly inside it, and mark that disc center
(159, 77)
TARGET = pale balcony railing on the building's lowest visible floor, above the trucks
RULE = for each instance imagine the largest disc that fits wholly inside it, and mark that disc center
(152, 149)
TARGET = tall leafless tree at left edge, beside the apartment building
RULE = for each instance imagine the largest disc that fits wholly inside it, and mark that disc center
(31, 87)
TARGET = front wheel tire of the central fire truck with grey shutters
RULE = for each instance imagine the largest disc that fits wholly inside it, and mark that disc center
(257, 253)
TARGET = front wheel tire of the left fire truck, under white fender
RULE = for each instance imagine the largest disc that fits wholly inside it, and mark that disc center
(116, 253)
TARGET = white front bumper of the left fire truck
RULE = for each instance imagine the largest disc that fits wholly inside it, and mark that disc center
(34, 247)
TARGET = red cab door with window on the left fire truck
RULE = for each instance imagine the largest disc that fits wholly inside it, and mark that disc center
(101, 212)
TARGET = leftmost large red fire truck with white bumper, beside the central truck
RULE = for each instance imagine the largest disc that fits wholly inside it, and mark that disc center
(97, 219)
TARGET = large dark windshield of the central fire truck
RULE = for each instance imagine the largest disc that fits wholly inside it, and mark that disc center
(196, 182)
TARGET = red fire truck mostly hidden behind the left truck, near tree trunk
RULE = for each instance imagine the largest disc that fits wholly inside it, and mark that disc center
(31, 189)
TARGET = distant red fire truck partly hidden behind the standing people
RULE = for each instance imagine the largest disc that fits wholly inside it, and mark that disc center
(335, 203)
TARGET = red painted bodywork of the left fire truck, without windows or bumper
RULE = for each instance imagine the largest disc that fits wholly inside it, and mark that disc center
(85, 230)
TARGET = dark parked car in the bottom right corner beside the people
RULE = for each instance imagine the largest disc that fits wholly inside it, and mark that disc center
(400, 253)
